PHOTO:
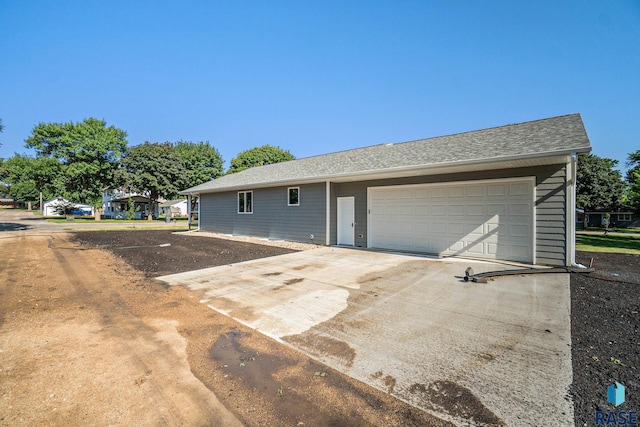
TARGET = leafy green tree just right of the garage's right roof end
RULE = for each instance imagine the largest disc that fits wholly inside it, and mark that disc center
(598, 184)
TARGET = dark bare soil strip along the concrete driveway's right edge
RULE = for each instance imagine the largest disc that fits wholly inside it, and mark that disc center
(605, 333)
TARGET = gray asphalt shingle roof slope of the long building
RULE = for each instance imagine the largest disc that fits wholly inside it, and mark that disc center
(556, 135)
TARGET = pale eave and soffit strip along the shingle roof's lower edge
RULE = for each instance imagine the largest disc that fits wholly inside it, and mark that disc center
(421, 170)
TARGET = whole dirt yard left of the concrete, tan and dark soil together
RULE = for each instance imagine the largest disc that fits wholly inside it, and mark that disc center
(87, 337)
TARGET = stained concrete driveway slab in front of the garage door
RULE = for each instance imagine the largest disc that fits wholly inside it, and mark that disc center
(470, 353)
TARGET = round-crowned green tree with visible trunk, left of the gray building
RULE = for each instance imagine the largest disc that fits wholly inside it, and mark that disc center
(153, 170)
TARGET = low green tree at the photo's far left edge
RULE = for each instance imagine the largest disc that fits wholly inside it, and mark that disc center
(27, 176)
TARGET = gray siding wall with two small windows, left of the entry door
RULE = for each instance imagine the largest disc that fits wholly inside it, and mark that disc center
(271, 217)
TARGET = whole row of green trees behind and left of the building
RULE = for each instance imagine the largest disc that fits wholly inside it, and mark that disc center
(79, 161)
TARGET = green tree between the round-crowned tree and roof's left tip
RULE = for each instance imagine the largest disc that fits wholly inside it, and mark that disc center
(201, 162)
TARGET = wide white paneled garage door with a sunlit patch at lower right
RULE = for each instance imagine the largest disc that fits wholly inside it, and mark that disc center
(485, 219)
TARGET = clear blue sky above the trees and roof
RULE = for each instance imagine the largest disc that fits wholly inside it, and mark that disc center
(319, 76)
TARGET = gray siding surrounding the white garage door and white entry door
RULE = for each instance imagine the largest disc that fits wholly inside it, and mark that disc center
(550, 204)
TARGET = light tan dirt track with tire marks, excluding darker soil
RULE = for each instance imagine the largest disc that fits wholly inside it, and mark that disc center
(143, 378)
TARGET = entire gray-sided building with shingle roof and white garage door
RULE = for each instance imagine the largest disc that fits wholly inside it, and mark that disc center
(504, 193)
